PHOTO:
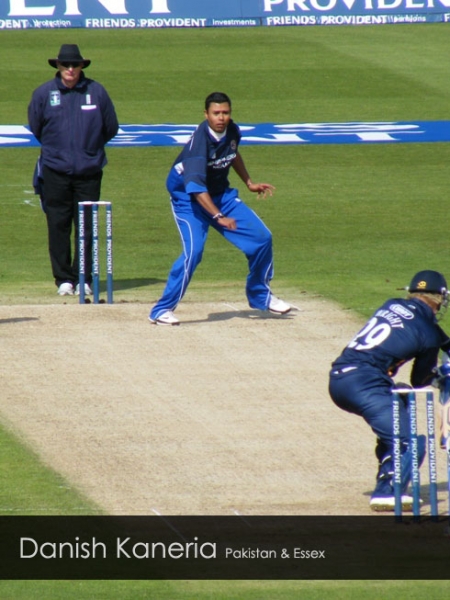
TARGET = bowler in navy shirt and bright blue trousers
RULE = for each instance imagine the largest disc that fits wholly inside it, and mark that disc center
(201, 197)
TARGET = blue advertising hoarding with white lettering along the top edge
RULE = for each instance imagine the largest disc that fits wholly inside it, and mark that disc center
(150, 14)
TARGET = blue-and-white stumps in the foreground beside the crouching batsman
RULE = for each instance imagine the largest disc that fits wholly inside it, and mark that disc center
(414, 448)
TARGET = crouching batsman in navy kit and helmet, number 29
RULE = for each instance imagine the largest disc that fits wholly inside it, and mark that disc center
(361, 378)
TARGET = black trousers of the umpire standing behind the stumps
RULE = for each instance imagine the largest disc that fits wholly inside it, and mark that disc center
(61, 194)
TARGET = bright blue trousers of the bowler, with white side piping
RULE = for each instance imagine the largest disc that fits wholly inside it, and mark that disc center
(252, 237)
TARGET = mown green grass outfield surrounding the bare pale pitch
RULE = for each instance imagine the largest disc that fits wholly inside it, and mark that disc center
(350, 222)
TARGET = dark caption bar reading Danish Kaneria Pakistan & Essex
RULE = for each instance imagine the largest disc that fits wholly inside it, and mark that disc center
(196, 548)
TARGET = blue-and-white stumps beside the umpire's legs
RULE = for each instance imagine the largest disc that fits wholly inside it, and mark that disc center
(94, 206)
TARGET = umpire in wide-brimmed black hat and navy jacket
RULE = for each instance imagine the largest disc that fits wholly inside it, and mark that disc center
(73, 118)
